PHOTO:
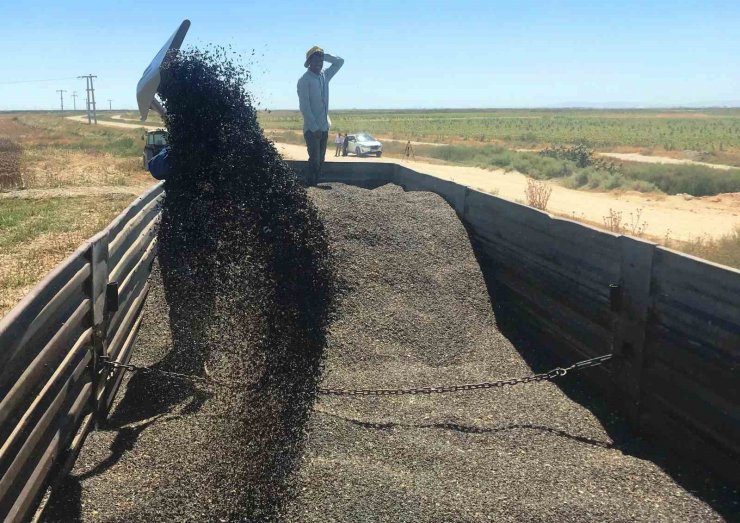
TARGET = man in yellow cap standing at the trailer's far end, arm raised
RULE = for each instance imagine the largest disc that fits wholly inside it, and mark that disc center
(313, 100)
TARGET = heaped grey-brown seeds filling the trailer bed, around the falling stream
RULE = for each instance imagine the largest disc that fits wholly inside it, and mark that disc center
(416, 311)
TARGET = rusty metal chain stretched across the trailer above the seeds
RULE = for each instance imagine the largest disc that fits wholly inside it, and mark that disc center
(545, 376)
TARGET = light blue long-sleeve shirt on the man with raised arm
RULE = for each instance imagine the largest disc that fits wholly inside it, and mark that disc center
(313, 95)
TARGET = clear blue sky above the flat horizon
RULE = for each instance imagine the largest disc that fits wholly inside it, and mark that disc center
(399, 54)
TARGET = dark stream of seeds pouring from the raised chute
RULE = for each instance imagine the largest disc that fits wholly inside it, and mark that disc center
(248, 277)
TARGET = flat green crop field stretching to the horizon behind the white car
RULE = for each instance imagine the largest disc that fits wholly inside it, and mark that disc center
(708, 130)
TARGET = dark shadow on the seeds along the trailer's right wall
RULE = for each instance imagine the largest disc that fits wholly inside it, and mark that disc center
(717, 493)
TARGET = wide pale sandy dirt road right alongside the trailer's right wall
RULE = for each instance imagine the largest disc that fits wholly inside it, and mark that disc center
(674, 216)
